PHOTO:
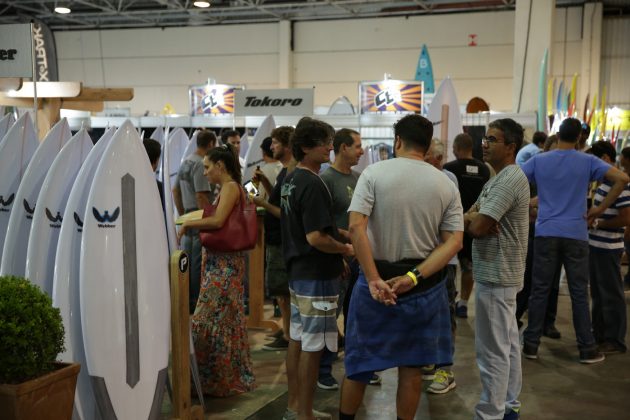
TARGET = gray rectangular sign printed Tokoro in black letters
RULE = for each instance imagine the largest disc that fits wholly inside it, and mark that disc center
(252, 103)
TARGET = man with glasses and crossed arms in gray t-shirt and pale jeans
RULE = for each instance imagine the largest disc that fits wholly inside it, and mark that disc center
(499, 223)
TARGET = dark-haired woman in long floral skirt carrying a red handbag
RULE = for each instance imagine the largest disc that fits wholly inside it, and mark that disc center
(218, 325)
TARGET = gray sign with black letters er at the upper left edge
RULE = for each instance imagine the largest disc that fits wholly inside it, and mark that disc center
(16, 57)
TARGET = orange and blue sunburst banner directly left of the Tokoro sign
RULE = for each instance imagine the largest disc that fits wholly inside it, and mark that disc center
(212, 99)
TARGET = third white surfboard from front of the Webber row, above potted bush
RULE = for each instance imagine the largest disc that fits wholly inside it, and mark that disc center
(51, 204)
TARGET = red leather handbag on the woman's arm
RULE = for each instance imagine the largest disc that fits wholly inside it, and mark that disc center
(239, 232)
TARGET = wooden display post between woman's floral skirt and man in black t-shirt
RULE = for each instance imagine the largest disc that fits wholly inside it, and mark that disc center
(257, 283)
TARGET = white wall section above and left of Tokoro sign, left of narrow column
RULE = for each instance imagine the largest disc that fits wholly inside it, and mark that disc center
(161, 64)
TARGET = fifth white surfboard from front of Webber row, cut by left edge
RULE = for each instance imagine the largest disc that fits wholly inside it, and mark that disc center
(16, 150)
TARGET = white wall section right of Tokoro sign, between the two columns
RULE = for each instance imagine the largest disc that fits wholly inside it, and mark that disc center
(334, 56)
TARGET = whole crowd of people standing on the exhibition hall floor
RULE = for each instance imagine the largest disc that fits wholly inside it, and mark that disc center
(383, 248)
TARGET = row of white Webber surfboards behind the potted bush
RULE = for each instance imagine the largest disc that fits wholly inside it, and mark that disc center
(84, 222)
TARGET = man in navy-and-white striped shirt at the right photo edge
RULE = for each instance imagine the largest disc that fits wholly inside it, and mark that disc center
(605, 241)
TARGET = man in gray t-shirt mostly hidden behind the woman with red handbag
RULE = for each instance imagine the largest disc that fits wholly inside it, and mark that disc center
(191, 192)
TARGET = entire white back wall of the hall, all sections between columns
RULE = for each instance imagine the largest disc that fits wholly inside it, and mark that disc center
(333, 56)
